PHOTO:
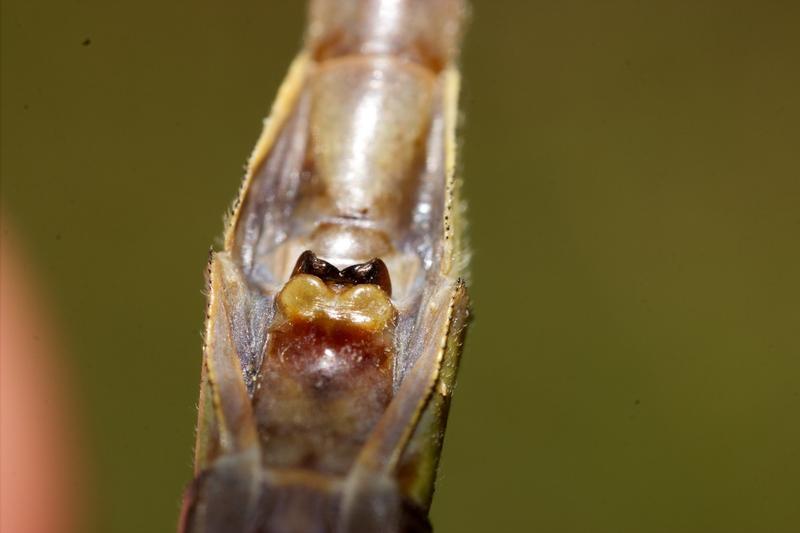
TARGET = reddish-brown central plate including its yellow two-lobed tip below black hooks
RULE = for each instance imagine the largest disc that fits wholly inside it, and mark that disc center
(327, 373)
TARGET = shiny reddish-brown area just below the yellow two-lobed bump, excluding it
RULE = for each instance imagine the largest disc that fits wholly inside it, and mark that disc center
(324, 385)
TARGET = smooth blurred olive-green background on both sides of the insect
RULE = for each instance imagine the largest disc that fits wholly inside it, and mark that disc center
(633, 176)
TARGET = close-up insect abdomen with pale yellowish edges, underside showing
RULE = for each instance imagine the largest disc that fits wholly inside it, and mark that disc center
(337, 307)
